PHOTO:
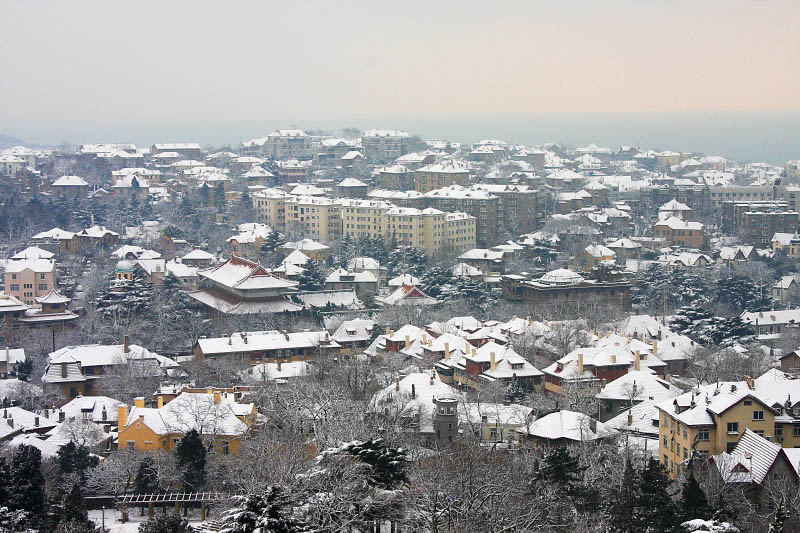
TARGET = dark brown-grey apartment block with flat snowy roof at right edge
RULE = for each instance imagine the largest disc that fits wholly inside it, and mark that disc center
(756, 223)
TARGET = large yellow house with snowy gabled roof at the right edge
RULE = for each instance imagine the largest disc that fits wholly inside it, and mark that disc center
(711, 419)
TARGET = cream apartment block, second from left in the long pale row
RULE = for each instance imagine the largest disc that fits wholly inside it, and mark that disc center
(316, 218)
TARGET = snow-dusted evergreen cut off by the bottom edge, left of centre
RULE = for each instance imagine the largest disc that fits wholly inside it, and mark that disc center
(268, 512)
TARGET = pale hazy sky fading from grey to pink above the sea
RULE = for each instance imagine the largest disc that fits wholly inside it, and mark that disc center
(80, 69)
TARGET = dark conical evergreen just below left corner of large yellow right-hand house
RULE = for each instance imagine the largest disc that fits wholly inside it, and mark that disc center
(655, 509)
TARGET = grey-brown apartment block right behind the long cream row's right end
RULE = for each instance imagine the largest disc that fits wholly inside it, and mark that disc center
(479, 203)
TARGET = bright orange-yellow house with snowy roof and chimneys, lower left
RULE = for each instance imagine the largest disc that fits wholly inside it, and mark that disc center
(216, 415)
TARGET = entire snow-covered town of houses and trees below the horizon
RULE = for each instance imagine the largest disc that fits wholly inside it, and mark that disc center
(372, 331)
